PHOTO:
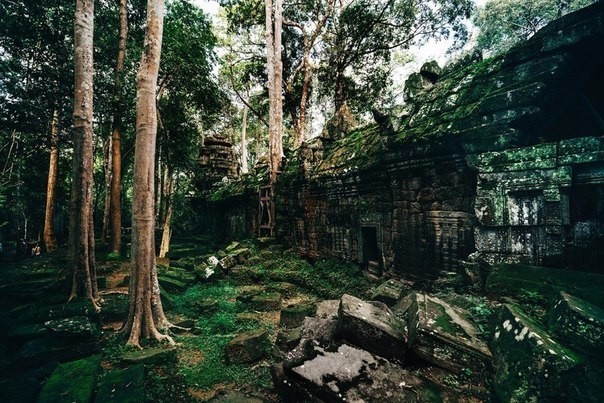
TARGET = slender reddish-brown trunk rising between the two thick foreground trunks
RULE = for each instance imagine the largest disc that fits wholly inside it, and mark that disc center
(115, 243)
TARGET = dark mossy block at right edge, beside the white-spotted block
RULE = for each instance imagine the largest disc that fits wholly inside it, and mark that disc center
(578, 324)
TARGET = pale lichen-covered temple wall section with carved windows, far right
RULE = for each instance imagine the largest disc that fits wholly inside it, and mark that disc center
(542, 205)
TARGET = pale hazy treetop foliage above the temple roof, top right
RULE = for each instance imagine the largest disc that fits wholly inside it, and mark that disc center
(503, 23)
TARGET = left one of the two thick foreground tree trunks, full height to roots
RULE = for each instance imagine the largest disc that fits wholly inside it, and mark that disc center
(82, 278)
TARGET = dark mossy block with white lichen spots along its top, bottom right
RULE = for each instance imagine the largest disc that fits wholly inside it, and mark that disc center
(529, 364)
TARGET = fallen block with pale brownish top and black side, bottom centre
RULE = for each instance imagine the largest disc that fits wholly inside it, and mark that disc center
(371, 326)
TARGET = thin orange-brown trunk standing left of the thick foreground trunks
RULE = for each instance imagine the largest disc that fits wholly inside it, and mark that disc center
(50, 241)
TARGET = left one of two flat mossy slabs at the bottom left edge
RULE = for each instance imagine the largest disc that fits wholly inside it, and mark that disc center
(72, 381)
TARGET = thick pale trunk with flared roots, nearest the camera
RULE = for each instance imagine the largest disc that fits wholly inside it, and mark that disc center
(145, 314)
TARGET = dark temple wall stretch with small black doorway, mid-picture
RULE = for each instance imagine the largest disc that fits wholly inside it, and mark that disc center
(409, 215)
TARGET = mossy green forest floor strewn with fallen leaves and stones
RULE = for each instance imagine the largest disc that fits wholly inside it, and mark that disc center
(260, 282)
